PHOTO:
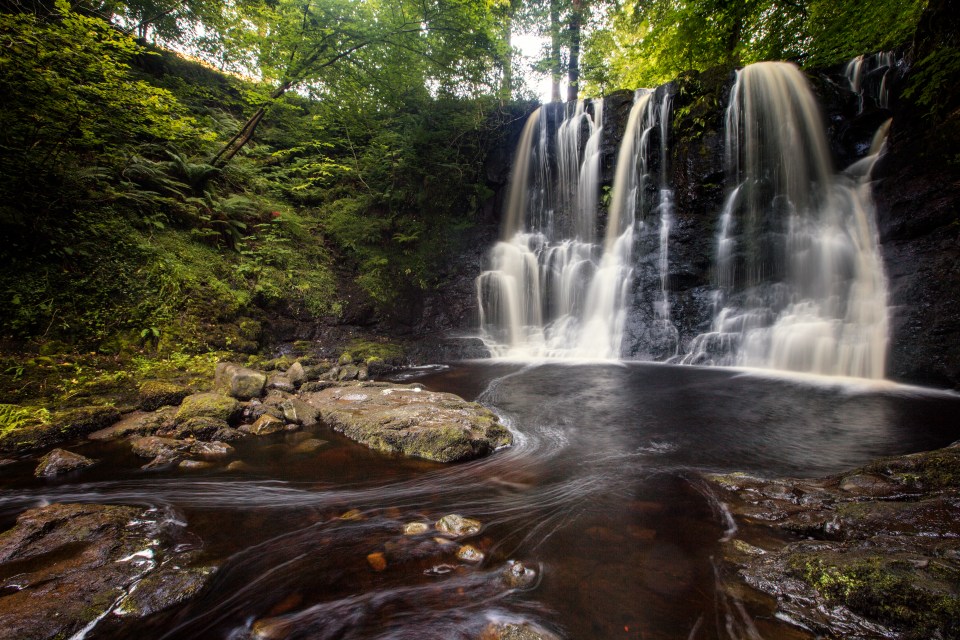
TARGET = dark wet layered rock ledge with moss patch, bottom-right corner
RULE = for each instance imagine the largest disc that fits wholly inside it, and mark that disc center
(872, 553)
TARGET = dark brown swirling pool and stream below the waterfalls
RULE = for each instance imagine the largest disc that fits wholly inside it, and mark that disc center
(598, 495)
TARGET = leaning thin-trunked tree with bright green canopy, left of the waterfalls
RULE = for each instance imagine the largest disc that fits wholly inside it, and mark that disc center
(297, 43)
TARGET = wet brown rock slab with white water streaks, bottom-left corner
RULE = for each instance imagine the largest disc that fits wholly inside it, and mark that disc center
(66, 565)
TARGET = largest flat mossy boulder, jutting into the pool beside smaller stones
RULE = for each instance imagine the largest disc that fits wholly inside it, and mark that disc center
(409, 420)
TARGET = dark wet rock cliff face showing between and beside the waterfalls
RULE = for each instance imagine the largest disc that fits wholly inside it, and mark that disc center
(916, 192)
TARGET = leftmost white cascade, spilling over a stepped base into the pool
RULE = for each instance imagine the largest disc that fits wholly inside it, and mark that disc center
(535, 298)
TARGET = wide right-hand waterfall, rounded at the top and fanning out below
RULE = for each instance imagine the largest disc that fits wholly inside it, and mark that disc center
(800, 282)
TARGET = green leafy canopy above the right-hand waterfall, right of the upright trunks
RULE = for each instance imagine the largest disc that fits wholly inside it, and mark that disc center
(648, 43)
